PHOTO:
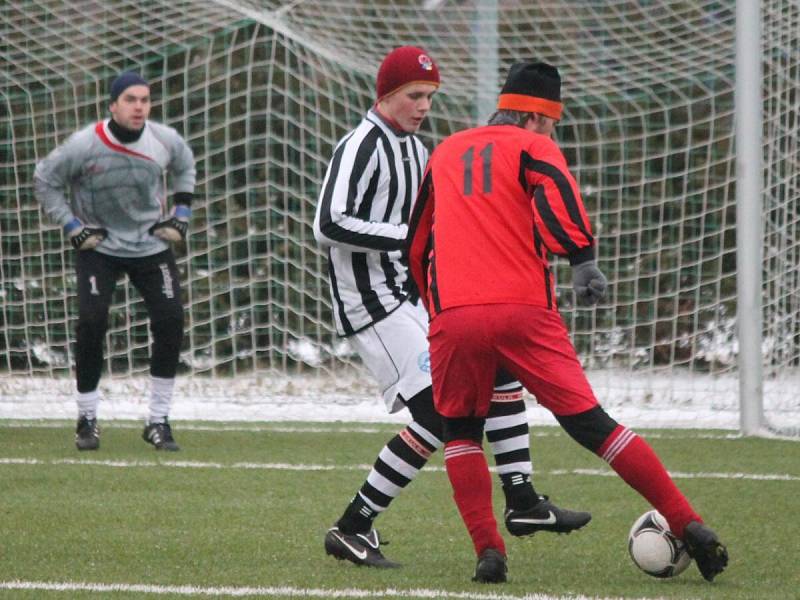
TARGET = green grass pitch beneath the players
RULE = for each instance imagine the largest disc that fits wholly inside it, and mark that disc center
(248, 506)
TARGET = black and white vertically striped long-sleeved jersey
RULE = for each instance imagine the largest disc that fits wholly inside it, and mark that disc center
(362, 215)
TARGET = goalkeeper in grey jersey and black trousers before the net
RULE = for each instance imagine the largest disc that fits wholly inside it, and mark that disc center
(105, 187)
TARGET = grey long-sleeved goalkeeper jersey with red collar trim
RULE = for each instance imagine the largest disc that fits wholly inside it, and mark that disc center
(121, 187)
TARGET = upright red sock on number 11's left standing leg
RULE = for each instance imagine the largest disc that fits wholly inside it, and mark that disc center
(472, 490)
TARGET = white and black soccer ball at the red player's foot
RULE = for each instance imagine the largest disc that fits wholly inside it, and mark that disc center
(655, 549)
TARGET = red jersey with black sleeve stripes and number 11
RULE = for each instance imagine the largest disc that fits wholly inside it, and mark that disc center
(494, 201)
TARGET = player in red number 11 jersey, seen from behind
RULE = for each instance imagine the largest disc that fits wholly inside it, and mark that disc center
(494, 201)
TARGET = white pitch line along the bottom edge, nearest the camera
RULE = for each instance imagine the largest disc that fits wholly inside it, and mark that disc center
(281, 591)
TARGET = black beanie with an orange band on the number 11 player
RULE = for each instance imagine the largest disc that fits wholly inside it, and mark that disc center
(532, 87)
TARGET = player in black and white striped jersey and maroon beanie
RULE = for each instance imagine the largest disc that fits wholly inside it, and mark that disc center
(365, 202)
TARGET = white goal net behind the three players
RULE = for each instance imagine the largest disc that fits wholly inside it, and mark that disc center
(263, 90)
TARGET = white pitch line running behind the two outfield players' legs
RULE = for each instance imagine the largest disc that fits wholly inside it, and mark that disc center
(190, 464)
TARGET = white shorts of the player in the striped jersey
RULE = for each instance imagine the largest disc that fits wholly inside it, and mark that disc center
(395, 350)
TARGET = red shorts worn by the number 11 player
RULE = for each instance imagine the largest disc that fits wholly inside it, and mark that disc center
(469, 343)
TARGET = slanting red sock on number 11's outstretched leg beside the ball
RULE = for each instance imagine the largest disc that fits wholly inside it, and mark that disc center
(636, 462)
